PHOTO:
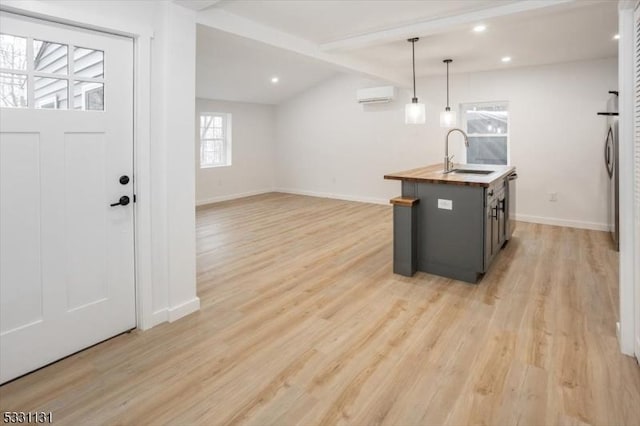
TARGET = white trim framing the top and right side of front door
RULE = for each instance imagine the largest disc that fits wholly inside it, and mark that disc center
(145, 273)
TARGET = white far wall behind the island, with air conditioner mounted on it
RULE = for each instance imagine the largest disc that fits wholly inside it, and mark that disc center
(329, 145)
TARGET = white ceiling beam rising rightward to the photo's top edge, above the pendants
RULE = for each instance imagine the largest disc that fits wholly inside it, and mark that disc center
(436, 26)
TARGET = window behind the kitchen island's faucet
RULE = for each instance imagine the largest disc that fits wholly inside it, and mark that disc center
(487, 127)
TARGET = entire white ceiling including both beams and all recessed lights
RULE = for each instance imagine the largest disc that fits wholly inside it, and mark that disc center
(305, 42)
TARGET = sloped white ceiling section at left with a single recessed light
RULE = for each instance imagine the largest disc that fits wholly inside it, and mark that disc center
(234, 68)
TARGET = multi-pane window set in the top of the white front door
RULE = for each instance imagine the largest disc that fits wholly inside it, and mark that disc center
(45, 77)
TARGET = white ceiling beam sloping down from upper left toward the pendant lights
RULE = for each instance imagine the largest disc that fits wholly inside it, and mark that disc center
(234, 24)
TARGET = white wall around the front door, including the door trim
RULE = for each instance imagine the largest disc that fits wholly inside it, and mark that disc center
(164, 113)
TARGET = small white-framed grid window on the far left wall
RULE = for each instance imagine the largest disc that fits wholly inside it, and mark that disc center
(215, 139)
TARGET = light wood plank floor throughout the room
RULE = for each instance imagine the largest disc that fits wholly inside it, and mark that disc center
(302, 322)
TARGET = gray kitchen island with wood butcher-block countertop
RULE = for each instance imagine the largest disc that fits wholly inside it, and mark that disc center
(452, 224)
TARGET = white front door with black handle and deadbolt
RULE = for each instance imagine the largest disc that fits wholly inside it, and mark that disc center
(66, 155)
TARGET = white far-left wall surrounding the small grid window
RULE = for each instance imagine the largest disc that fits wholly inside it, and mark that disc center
(253, 150)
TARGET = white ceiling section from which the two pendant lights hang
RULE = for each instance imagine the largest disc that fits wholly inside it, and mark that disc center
(536, 38)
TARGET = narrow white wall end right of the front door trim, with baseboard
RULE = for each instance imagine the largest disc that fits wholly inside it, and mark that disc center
(178, 89)
